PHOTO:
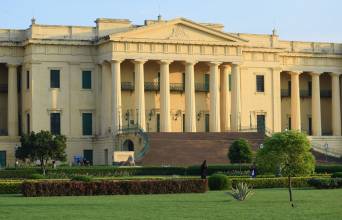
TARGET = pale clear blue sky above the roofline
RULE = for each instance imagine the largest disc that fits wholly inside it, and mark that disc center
(309, 20)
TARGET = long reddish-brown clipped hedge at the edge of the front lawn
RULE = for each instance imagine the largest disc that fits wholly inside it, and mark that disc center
(77, 188)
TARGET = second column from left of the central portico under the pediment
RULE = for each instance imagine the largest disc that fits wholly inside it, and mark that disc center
(139, 93)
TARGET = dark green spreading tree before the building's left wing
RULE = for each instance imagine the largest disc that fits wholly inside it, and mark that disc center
(42, 146)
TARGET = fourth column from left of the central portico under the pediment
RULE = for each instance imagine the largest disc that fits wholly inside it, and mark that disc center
(190, 107)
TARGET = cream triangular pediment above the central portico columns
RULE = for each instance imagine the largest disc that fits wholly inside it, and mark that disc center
(179, 29)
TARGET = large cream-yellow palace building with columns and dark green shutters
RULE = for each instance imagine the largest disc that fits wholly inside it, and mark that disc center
(110, 88)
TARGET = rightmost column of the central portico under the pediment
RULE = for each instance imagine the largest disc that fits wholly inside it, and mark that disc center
(235, 97)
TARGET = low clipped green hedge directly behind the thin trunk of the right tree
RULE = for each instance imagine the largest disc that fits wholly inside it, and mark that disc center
(278, 182)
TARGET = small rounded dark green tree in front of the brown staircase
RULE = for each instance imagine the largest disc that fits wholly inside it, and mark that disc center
(240, 152)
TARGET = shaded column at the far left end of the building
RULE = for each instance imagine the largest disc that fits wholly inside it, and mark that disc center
(12, 101)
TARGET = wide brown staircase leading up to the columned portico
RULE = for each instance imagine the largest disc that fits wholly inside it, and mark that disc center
(175, 148)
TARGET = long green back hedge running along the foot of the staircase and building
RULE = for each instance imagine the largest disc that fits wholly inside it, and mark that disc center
(101, 171)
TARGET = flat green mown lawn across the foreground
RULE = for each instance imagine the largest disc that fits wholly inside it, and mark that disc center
(265, 204)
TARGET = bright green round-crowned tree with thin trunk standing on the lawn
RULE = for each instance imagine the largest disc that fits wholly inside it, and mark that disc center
(289, 153)
